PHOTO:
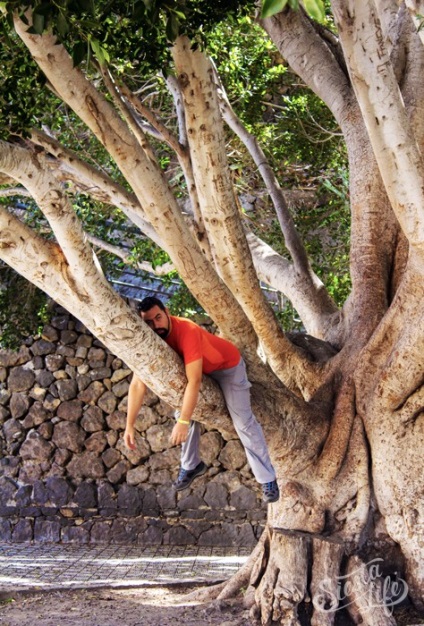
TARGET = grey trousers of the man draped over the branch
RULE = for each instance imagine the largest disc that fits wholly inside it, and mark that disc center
(236, 390)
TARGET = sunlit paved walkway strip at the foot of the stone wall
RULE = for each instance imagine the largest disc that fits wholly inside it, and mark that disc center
(67, 566)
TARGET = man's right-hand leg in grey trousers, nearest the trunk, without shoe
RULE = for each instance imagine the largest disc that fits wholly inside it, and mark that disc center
(236, 390)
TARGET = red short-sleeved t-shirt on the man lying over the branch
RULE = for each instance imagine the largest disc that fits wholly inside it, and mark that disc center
(192, 342)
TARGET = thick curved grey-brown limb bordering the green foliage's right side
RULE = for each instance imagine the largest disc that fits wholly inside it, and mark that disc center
(318, 60)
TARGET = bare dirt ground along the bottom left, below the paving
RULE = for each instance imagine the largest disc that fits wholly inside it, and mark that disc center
(153, 606)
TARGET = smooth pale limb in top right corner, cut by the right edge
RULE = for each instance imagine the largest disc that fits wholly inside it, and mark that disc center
(378, 94)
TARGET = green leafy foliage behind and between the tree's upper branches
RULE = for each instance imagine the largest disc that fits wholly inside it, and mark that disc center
(133, 38)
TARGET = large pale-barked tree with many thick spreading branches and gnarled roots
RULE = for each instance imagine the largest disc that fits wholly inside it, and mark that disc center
(343, 409)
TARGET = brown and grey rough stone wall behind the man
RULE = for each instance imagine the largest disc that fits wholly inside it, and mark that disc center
(66, 475)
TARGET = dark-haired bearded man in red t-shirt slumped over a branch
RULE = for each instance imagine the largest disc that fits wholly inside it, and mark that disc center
(204, 353)
